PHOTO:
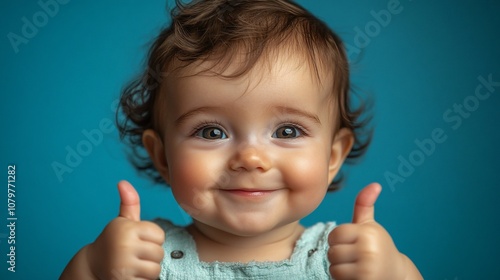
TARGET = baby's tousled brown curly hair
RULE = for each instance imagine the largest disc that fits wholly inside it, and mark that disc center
(221, 29)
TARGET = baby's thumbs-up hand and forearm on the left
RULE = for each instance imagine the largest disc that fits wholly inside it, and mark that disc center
(127, 248)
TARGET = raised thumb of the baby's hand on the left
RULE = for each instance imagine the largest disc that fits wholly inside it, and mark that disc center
(130, 206)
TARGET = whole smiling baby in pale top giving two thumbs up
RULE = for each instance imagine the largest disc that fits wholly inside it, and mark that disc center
(249, 123)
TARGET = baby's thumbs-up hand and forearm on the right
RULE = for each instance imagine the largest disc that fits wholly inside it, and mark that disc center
(364, 249)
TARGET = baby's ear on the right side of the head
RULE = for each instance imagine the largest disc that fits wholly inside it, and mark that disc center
(341, 146)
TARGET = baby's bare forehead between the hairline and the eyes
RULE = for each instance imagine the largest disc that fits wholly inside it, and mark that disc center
(285, 82)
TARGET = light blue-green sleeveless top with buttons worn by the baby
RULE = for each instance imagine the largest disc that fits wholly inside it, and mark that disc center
(308, 261)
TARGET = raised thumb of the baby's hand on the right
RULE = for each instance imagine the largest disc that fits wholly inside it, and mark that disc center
(364, 210)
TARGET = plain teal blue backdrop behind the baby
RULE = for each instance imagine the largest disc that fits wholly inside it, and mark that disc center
(428, 57)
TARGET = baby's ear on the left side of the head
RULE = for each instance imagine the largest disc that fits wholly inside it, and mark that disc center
(154, 145)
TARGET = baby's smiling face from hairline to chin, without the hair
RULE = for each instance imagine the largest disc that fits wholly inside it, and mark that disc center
(251, 154)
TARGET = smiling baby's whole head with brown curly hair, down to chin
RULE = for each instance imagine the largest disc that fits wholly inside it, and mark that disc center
(244, 111)
